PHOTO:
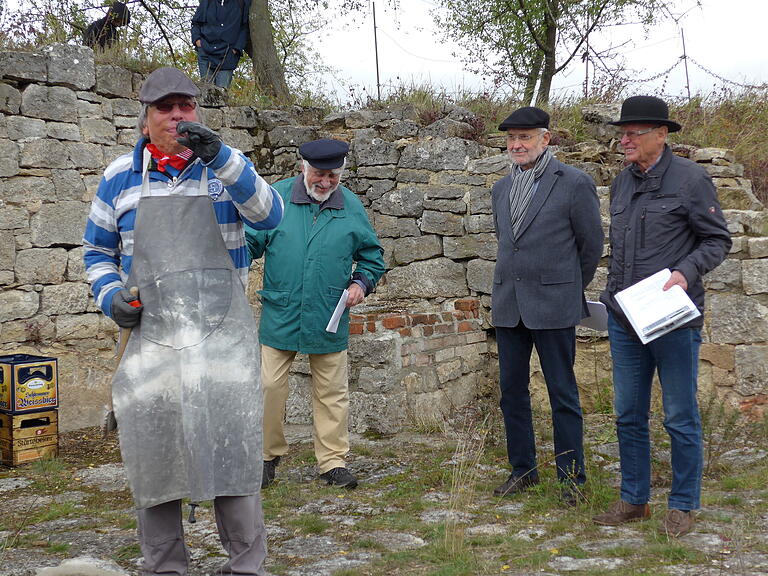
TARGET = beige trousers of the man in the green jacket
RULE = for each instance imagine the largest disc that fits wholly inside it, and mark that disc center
(330, 404)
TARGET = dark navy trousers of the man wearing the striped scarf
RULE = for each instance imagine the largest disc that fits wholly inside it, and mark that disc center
(557, 353)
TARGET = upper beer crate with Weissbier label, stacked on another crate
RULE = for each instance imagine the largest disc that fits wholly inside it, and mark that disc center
(28, 383)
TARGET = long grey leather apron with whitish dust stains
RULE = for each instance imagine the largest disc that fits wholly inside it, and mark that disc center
(187, 393)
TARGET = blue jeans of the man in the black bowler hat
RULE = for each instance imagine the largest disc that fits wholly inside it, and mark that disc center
(676, 358)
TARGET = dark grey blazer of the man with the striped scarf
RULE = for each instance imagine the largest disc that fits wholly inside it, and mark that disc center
(540, 277)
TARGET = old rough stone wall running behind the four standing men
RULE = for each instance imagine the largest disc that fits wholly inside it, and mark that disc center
(422, 345)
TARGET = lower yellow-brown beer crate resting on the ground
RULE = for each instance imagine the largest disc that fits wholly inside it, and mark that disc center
(28, 437)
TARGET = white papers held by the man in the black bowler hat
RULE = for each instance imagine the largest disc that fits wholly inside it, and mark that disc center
(652, 311)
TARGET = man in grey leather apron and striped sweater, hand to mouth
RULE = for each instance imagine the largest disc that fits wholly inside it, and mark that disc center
(166, 256)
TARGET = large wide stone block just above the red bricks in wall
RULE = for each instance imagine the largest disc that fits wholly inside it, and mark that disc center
(427, 279)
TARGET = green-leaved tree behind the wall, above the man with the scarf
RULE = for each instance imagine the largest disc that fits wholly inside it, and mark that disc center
(522, 43)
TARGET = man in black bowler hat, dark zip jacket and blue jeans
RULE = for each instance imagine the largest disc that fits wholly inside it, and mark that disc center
(664, 214)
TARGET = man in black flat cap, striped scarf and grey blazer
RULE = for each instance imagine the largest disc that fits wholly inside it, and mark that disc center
(550, 239)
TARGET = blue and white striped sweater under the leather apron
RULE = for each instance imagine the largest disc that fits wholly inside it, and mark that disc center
(108, 239)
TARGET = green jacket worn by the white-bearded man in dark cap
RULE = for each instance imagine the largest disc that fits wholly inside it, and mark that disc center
(308, 263)
